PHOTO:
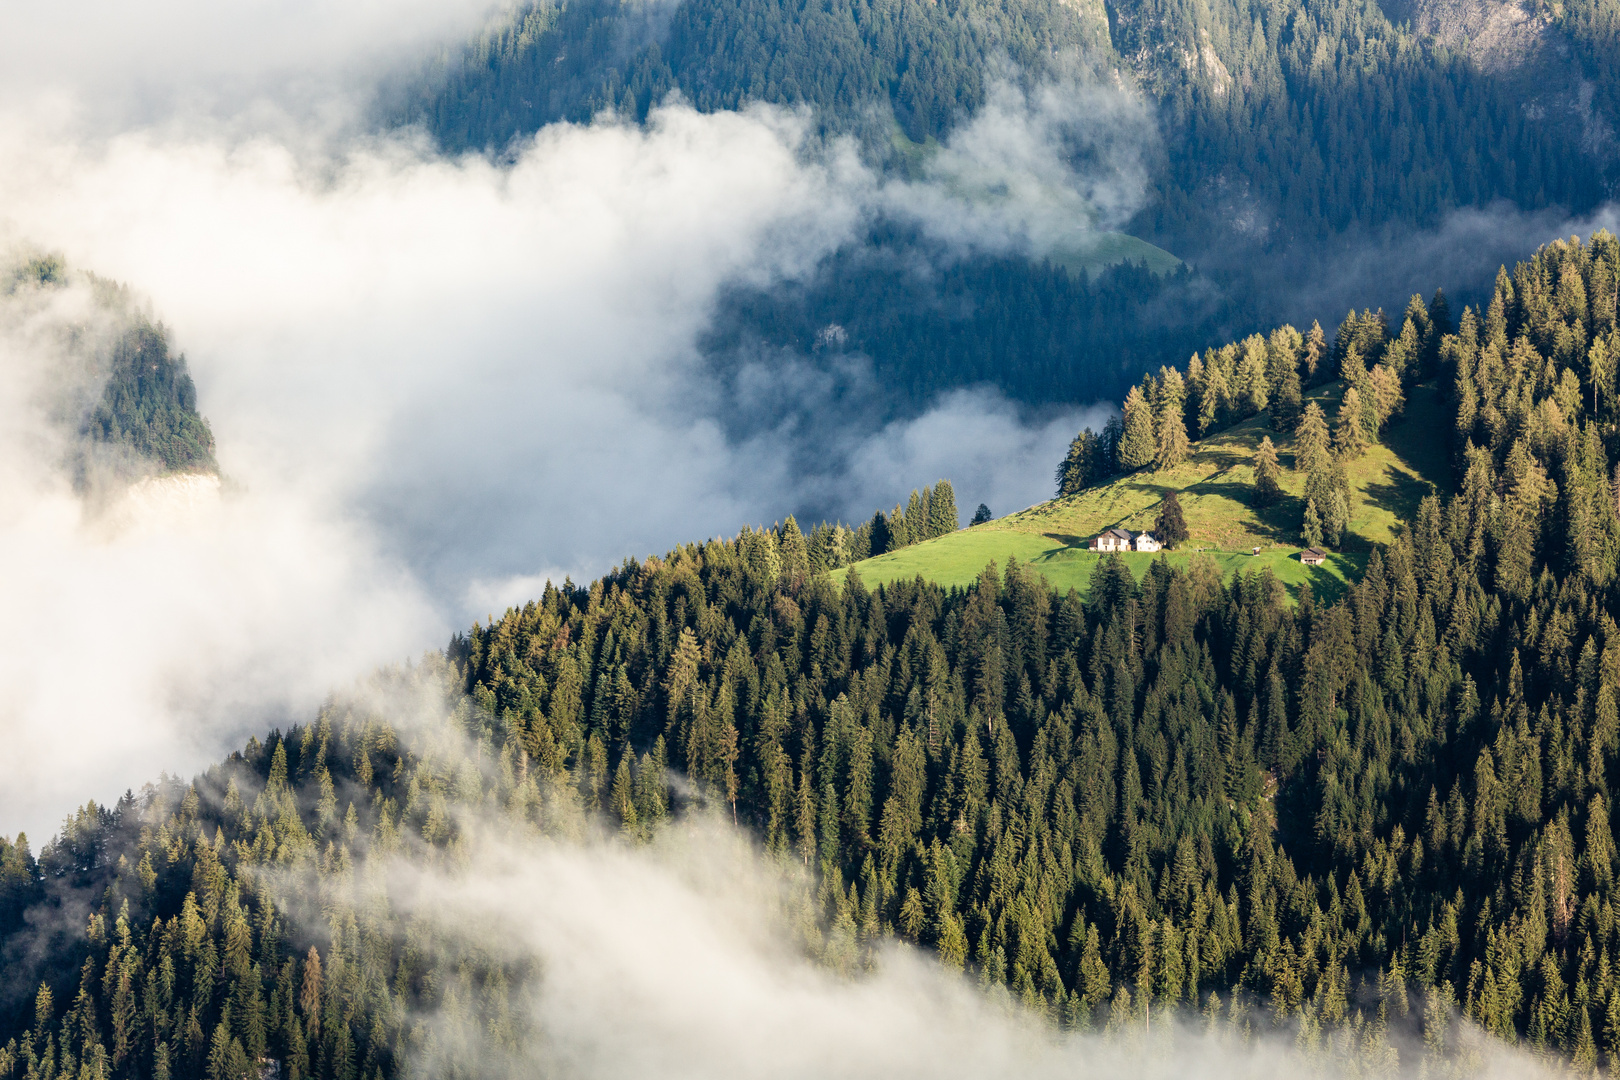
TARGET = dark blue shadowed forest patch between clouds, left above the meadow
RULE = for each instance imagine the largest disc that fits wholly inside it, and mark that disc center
(1034, 331)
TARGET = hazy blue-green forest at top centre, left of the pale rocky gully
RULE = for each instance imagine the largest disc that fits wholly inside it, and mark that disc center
(919, 64)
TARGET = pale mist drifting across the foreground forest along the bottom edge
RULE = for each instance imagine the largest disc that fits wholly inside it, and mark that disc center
(693, 956)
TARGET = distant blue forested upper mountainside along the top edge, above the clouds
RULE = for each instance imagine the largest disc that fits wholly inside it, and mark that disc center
(1282, 122)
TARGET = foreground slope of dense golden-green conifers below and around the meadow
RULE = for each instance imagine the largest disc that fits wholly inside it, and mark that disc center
(1174, 793)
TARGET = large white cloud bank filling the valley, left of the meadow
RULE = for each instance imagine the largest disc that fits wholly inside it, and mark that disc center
(435, 383)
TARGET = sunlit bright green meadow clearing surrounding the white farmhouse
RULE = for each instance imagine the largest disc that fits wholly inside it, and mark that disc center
(1214, 485)
